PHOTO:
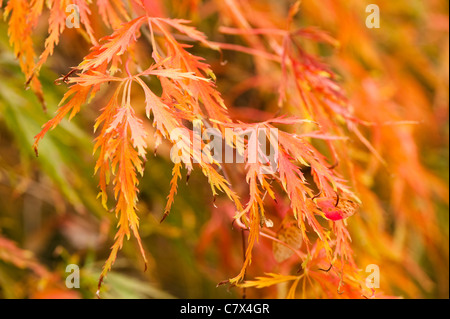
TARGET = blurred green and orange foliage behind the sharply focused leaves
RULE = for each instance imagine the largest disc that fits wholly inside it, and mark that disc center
(50, 217)
